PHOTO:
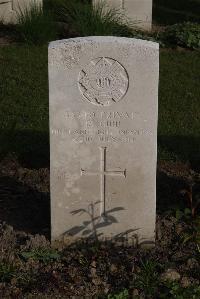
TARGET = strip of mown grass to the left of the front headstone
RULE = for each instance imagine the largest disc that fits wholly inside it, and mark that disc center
(24, 103)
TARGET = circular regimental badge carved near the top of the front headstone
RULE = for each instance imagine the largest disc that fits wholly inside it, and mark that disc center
(104, 81)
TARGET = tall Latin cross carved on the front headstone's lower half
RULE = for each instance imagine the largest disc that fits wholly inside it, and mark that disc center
(103, 172)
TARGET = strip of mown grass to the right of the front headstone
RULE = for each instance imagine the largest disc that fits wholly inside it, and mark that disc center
(179, 106)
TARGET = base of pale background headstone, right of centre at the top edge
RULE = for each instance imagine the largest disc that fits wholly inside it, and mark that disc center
(139, 12)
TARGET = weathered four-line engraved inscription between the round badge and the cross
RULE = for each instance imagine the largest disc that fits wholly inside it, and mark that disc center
(102, 127)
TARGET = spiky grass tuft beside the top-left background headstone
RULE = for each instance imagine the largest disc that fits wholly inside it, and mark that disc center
(36, 25)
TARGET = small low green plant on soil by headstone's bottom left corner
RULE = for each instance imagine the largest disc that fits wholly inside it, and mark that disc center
(41, 254)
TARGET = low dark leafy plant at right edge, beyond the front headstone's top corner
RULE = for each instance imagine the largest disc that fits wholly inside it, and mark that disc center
(184, 35)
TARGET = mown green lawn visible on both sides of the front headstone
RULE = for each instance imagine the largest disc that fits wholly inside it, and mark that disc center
(24, 105)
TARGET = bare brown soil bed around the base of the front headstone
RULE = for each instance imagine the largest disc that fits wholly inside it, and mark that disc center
(85, 269)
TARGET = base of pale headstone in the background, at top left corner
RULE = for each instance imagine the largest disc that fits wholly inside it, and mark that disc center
(10, 9)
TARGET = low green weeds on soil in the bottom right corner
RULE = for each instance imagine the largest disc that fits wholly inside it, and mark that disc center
(174, 290)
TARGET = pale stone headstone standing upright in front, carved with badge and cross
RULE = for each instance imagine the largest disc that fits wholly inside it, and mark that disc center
(103, 137)
